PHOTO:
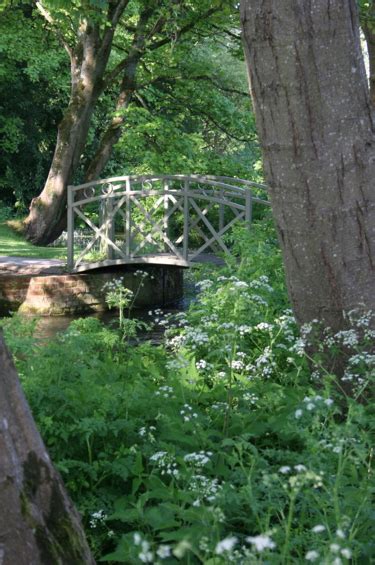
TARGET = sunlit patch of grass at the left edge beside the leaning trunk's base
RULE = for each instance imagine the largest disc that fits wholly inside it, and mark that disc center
(13, 244)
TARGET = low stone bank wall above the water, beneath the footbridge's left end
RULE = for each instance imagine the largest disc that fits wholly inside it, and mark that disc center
(60, 294)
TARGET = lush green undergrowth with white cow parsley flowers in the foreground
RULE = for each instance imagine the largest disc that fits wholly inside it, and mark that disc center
(226, 444)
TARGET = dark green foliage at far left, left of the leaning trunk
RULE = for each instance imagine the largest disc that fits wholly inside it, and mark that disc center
(33, 73)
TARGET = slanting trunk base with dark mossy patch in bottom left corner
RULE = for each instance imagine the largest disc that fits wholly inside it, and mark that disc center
(38, 522)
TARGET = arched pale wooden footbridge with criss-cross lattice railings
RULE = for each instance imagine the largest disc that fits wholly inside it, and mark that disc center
(167, 220)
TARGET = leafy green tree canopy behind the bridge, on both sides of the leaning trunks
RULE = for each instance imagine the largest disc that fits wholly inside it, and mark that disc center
(190, 111)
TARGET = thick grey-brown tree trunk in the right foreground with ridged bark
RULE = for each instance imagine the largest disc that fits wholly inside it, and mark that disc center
(314, 120)
